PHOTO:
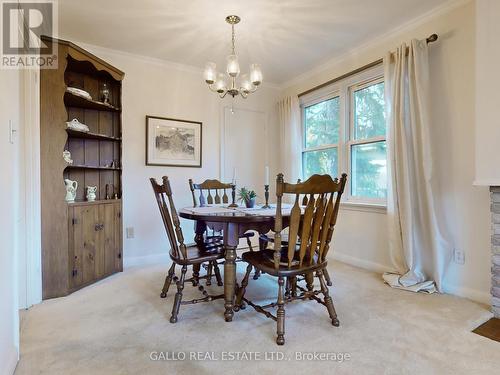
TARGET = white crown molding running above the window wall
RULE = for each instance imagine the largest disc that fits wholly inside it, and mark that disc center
(377, 40)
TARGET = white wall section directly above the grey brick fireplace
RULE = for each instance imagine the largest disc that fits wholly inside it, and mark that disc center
(487, 84)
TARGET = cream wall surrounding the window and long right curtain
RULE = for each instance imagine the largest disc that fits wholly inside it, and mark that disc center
(360, 236)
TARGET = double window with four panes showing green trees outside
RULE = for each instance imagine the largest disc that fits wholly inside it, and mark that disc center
(344, 129)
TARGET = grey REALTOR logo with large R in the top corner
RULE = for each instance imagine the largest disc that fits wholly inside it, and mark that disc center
(23, 25)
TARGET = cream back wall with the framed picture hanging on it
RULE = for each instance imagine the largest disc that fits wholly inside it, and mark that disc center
(154, 87)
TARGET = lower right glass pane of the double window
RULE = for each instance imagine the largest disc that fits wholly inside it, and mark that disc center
(369, 170)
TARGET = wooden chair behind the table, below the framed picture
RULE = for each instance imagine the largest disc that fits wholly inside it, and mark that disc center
(202, 196)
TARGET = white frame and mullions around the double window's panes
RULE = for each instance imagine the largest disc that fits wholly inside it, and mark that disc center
(345, 89)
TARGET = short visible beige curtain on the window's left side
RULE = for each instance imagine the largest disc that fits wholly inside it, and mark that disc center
(291, 137)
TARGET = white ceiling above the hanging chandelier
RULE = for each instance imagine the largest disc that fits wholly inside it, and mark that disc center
(287, 37)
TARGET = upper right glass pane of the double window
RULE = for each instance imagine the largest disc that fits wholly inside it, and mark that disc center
(369, 112)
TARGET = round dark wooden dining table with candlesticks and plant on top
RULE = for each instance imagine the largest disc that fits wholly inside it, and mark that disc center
(234, 222)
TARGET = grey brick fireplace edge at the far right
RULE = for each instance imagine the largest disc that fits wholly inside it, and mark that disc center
(495, 249)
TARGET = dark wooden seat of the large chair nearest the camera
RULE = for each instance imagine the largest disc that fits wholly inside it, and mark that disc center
(264, 260)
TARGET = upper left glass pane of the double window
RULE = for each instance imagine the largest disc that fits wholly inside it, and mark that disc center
(322, 123)
